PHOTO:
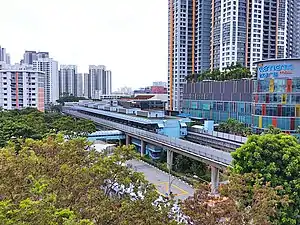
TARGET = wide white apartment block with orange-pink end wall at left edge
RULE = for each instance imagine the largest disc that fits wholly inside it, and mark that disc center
(21, 87)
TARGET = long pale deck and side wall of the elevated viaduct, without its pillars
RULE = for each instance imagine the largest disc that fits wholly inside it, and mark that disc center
(210, 154)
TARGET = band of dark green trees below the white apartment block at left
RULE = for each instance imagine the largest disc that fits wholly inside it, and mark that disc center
(31, 123)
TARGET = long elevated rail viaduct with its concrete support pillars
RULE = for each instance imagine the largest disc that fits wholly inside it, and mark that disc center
(217, 159)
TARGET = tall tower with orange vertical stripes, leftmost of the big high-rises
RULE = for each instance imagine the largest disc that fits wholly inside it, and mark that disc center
(189, 44)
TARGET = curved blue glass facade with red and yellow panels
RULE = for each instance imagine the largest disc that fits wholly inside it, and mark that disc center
(276, 102)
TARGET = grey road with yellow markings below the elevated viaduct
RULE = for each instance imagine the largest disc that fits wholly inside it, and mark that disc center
(160, 179)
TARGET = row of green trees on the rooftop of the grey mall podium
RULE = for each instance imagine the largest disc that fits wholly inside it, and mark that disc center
(234, 71)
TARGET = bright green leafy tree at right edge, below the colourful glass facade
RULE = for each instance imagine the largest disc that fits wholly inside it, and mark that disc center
(275, 157)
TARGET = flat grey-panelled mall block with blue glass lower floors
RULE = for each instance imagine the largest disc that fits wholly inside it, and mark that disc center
(218, 101)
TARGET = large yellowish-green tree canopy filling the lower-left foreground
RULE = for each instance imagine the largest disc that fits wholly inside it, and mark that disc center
(53, 181)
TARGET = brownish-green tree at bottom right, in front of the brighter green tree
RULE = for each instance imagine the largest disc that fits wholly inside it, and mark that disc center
(238, 204)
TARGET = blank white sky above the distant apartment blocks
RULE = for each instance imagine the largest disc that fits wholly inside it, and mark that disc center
(129, 37)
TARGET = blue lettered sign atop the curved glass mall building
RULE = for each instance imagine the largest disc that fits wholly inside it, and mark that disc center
(275, 71)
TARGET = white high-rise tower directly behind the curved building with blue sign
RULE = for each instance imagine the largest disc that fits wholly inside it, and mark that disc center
(271, 30)
